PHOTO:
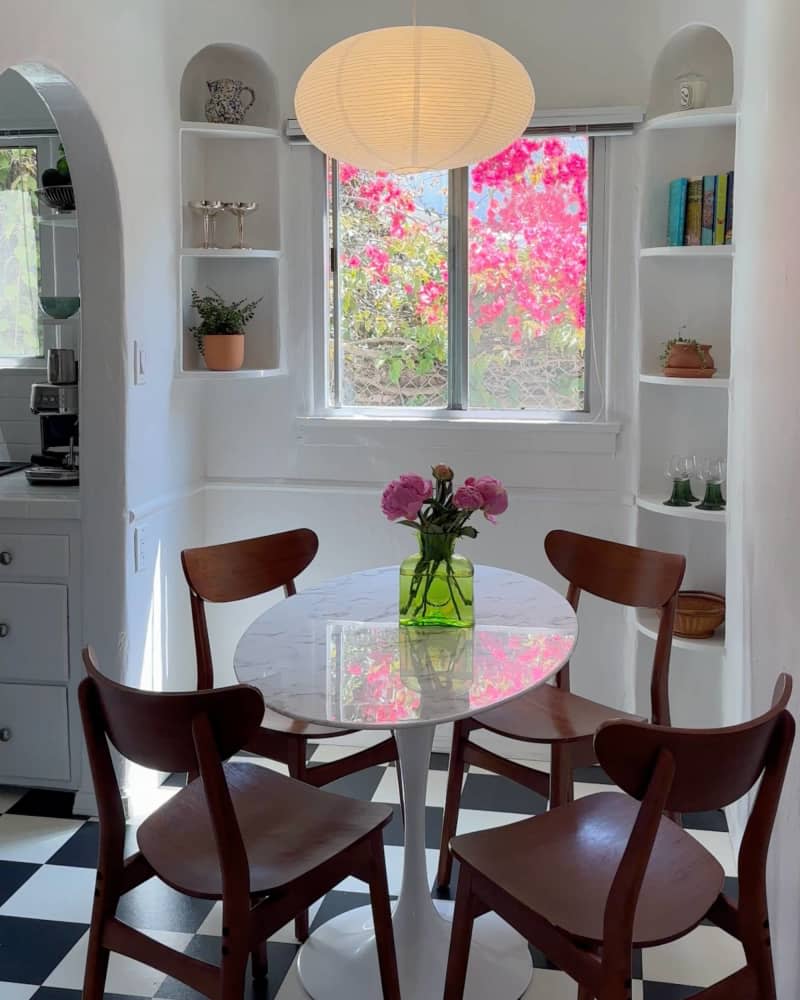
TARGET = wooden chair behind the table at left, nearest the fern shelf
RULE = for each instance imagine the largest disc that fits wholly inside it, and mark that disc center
(235, 571)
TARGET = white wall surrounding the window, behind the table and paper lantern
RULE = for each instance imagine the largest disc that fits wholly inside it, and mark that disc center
(271, 470)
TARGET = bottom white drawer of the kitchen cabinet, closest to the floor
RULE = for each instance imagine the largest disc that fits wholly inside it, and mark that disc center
(34, 734)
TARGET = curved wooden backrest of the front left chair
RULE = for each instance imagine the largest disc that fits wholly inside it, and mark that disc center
(154, 729)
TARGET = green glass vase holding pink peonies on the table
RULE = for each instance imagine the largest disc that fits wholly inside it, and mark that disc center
(436, 586)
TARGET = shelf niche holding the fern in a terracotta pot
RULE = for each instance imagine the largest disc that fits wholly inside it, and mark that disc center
(236, 278)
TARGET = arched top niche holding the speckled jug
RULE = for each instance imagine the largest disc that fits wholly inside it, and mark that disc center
(239, 63)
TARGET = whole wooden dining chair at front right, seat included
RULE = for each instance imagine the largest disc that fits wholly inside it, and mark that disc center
(590, 881)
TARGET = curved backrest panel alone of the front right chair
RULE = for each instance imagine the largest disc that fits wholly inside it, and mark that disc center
(713, 767)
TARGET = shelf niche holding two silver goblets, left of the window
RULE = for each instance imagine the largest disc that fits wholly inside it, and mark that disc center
(216, 168)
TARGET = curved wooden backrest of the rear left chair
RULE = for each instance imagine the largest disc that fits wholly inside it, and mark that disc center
(238, 570)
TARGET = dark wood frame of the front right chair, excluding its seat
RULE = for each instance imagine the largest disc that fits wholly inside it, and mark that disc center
(678, 770)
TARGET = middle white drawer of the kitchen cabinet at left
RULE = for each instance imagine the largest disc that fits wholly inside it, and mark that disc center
(34, 644)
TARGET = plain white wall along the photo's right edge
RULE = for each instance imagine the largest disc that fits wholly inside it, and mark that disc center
(764, 469)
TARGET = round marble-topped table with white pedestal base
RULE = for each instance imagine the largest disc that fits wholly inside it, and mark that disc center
(336, 655)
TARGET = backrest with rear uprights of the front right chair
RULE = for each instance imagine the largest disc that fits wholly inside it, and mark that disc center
(688, 770)
